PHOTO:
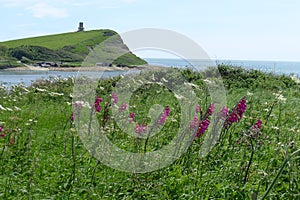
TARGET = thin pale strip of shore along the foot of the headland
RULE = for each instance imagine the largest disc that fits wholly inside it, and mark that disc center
(75, 69)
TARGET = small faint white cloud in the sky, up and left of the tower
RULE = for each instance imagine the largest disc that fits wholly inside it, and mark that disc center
(45, 10)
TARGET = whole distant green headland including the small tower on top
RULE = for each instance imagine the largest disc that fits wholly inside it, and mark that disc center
(68, 50)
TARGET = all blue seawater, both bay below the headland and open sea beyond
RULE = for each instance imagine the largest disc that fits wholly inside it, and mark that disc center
(9, 78)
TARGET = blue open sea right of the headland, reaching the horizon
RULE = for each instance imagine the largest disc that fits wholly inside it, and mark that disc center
(277, 67)
